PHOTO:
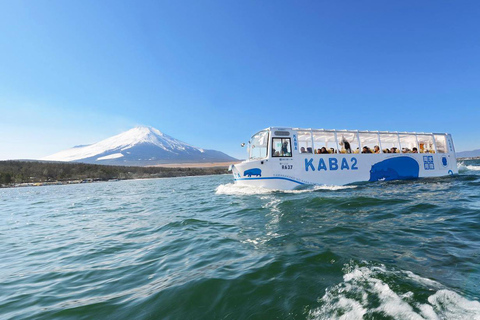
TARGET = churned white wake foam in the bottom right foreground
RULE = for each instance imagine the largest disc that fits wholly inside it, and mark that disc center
(375, 292)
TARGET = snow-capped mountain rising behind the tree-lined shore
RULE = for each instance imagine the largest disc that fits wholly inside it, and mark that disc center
(139, 146)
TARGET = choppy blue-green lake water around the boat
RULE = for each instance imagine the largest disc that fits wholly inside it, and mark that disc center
(202, 248)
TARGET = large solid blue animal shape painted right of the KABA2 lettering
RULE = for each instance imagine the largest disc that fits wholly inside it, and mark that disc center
(401, 168)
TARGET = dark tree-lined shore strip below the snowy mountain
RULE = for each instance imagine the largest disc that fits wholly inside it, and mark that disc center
(14, 172)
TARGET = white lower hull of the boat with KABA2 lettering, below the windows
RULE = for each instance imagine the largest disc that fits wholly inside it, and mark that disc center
(341, 169)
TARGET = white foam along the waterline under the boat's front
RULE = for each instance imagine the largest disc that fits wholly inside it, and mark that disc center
(235, 189)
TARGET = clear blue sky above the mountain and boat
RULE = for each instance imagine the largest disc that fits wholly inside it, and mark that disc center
(212, 73)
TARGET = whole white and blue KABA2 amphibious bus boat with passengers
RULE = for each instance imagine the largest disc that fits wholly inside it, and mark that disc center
(285, 158)
